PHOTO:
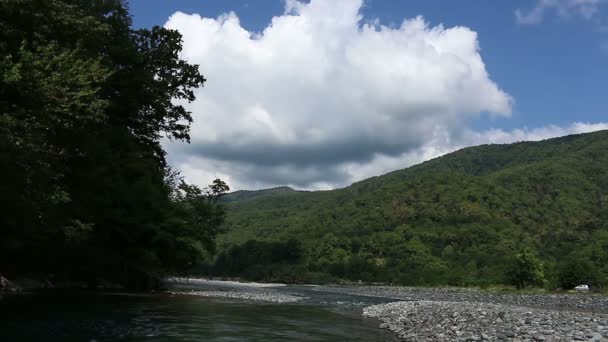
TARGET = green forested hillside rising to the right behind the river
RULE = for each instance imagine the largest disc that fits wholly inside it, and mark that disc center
(526, 214)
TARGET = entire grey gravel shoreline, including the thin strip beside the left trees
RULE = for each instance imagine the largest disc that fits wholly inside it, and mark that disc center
(435, 314)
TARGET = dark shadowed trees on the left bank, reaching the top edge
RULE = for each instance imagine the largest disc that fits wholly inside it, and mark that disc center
(86, 193)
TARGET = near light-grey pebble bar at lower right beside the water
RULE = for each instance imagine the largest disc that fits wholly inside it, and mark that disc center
(461, 321)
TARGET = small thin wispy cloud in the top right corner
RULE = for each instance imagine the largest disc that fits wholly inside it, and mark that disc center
(564, 8)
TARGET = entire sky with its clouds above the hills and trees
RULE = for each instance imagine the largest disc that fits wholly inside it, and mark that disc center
(323, 93)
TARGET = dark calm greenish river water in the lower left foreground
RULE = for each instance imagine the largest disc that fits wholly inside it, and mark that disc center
(161, 317)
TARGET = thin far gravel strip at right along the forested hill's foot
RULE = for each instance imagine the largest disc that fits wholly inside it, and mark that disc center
(586, 302)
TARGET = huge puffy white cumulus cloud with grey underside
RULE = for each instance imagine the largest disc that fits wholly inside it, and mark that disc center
(321, 86)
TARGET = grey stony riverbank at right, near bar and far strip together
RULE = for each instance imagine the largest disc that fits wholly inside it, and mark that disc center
(452, 314)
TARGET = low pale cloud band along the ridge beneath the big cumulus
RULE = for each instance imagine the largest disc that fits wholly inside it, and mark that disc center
(248, 176)
